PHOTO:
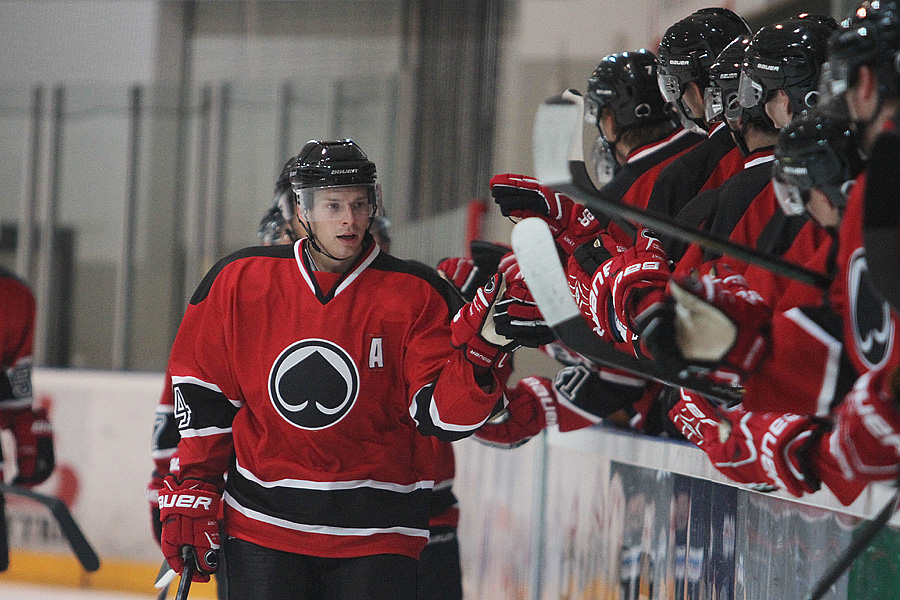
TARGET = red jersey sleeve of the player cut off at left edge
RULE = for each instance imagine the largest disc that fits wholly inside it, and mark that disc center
(17, 321)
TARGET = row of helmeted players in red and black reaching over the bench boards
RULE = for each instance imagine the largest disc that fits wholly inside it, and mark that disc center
(796, 127)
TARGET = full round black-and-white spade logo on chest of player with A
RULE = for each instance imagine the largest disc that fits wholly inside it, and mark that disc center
(313, 384)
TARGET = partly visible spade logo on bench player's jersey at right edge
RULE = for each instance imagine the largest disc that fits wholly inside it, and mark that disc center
(873, 330)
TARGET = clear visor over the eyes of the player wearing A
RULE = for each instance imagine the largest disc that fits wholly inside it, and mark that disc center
(340, 202)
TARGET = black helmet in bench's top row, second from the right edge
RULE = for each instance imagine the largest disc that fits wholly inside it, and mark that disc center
(786, 56)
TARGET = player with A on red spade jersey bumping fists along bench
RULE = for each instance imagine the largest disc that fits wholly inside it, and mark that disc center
(308, 373)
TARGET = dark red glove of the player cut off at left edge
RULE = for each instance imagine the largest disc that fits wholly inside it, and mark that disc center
(33, 433)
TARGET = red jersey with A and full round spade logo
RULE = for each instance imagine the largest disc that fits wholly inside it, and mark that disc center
(304, 386)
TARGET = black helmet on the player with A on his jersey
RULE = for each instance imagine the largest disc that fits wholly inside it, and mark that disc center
(341, 163)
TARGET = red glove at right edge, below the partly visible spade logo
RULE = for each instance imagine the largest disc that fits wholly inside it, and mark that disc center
(866, 438)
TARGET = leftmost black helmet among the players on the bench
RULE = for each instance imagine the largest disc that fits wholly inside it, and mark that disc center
(625, 83)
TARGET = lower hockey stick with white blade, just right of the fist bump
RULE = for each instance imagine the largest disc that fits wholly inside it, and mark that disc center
(538, 260)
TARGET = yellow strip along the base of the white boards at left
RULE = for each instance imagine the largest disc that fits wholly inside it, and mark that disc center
(117, 575)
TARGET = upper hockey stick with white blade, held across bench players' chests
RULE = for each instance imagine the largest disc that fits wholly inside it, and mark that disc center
(570, 181)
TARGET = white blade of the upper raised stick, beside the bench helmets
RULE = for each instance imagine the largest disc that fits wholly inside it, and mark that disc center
(555, 126)
